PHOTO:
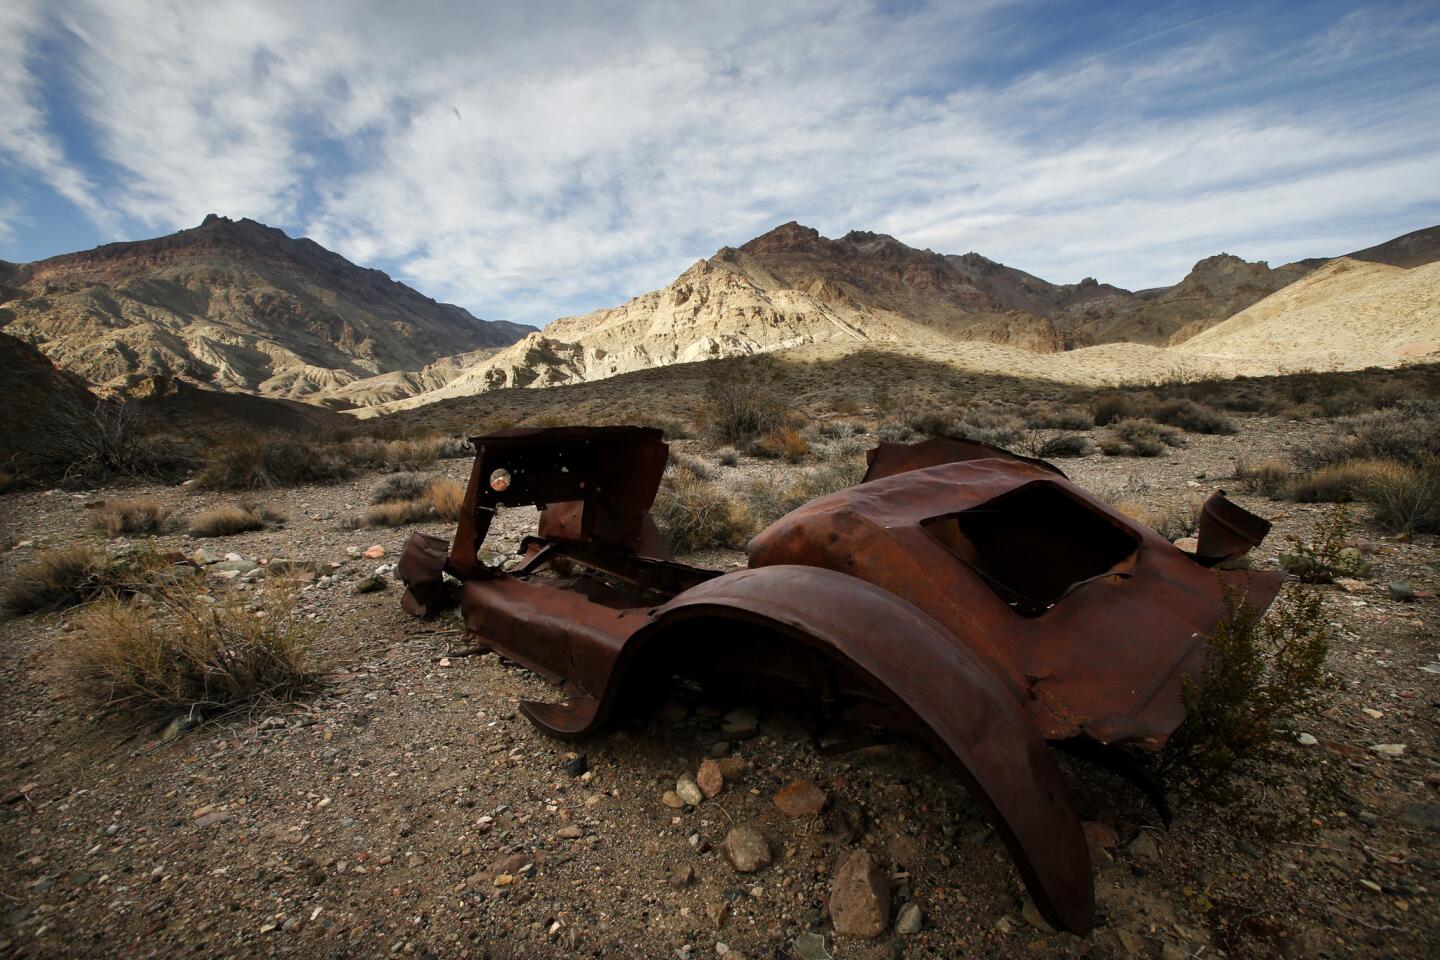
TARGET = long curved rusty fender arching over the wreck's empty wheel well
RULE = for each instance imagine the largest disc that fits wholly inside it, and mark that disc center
(960, 706)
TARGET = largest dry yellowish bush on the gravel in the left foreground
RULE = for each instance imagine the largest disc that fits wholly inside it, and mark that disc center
(189, 653)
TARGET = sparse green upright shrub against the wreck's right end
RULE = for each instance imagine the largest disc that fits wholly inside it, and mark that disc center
(1262, 677)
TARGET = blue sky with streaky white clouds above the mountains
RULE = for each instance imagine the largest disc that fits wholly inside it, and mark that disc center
(538, 160)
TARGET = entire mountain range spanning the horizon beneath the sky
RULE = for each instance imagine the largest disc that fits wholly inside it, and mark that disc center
(241, 307)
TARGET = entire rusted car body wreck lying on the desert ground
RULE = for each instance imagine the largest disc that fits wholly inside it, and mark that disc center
(963, 594)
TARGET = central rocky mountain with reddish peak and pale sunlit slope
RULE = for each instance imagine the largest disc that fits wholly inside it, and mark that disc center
(793, 289)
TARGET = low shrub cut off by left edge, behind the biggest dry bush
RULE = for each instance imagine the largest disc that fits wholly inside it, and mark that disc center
(76, 575)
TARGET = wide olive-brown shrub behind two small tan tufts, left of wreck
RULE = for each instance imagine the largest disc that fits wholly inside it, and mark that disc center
(251, 461)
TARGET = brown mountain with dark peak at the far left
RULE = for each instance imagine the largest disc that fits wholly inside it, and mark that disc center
(237, 306)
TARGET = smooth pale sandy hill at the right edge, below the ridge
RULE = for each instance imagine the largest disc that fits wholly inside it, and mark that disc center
(1347, 314)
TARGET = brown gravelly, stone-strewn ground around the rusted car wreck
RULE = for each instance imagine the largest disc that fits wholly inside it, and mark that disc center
(408, 810)
